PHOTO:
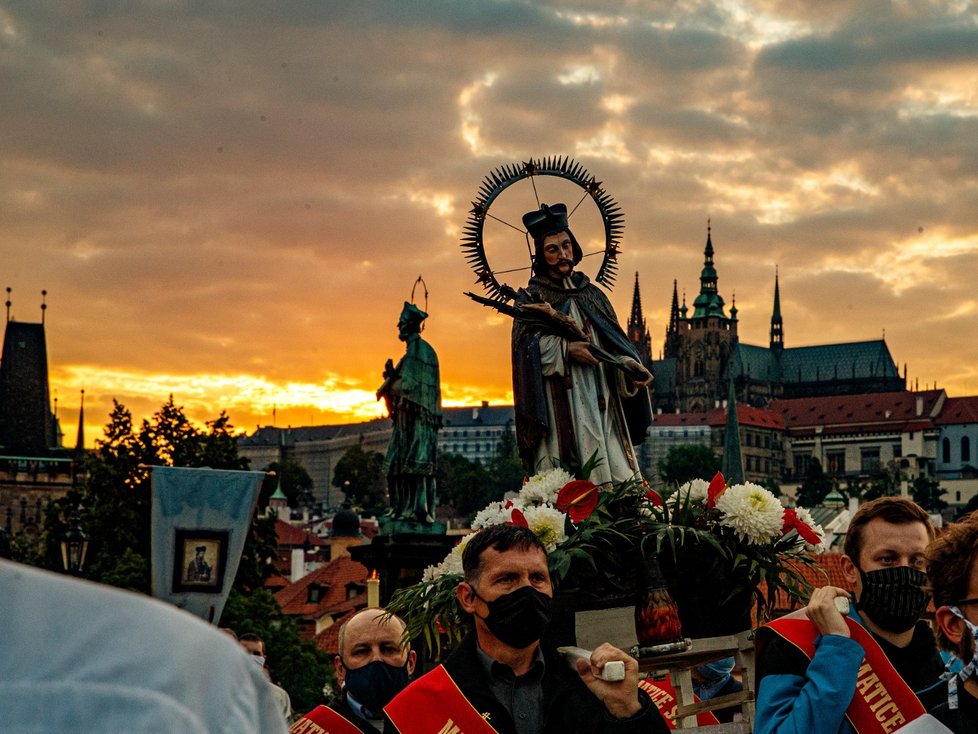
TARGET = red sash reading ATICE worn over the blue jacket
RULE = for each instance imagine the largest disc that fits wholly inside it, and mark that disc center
(883, 702)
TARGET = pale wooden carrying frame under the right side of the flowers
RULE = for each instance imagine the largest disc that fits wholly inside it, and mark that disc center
(678, 667)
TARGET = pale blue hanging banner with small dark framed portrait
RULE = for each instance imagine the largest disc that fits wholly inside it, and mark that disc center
(200, 518)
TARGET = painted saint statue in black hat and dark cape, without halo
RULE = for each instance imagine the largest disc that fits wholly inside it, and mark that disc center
(570, 406)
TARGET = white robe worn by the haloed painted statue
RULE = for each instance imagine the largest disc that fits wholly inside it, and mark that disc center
(596, 431)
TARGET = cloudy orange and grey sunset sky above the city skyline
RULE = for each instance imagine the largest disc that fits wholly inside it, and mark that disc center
(231, 201)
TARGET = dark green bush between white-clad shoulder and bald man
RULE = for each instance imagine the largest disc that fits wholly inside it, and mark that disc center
(296, 664)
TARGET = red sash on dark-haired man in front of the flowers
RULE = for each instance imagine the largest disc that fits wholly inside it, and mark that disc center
(433, 704)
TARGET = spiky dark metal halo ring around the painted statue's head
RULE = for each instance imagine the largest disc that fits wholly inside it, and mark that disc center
(500, 179)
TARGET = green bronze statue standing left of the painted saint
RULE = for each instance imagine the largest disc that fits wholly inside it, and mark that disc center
(412, 392)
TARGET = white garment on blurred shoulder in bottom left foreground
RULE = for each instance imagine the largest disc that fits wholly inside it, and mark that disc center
(81, 657)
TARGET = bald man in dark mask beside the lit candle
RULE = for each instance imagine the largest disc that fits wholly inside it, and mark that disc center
(373, 666)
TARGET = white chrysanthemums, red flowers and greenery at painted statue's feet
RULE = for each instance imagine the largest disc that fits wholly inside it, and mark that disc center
(735, 543)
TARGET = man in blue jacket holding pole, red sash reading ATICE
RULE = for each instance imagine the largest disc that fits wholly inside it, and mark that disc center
(873, 669)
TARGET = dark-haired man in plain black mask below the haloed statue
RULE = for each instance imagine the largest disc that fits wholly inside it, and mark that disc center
(504, 678)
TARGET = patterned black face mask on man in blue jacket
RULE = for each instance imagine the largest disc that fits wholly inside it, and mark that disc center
(893, 598)
